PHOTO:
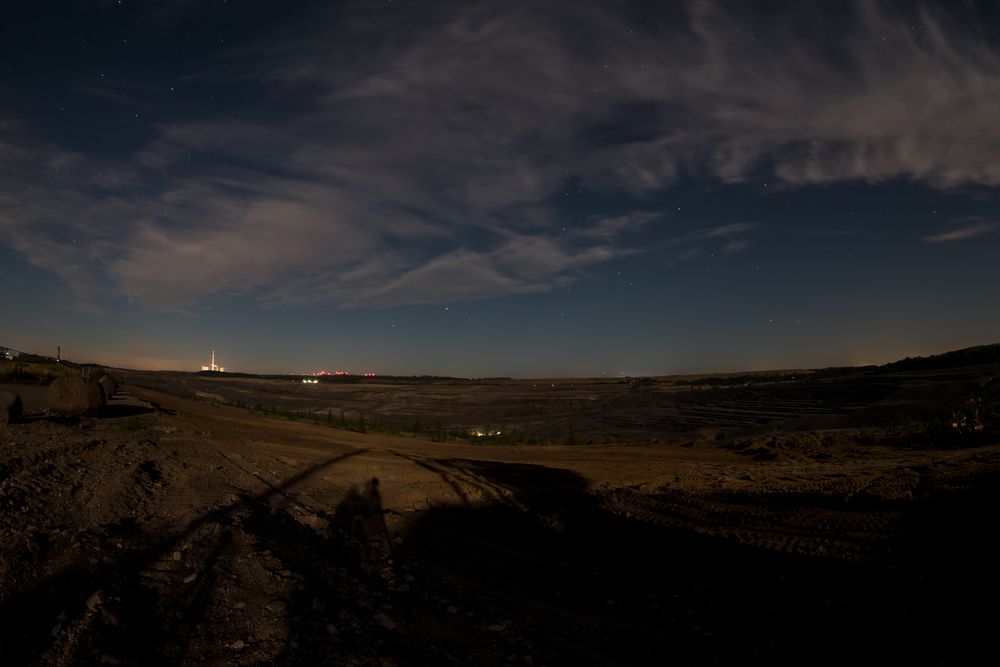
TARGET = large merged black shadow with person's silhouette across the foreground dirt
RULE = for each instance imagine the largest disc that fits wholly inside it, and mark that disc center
(541, 565)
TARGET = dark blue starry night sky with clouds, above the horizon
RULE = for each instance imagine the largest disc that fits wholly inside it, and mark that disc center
(498, 188)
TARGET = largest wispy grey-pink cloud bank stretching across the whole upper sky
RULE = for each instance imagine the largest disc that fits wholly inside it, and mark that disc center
(422, 159)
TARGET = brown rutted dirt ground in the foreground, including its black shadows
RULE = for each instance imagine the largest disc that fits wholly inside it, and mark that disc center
(170, 531)
